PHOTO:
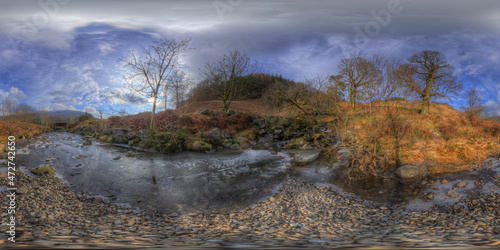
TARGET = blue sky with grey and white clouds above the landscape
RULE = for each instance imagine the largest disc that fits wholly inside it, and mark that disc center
(63, 54)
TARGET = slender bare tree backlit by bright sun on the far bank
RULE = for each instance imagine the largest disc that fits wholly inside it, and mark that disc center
(149, 70)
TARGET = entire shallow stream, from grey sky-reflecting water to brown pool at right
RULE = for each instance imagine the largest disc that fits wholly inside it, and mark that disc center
(187, 182)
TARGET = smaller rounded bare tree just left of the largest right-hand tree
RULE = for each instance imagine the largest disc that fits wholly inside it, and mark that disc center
(356, 75)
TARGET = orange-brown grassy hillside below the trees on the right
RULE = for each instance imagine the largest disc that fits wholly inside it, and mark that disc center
(445, 139)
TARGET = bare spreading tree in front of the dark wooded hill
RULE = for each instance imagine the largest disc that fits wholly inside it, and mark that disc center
(225, 74)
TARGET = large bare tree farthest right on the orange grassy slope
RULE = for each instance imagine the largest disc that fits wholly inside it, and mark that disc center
(431, 76)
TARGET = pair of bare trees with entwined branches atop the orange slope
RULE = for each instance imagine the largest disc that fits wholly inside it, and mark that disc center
(427, 74)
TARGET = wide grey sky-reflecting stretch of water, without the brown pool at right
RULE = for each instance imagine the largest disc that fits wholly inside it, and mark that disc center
(182, 182)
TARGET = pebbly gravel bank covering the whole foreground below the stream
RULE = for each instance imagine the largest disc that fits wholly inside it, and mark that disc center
(49, 214)
